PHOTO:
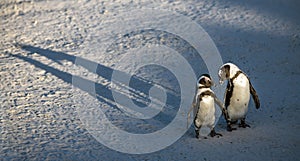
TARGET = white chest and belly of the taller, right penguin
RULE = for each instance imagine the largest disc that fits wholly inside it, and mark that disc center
(239, 100)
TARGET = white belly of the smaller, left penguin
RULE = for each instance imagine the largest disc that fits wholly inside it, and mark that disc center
(206, 113)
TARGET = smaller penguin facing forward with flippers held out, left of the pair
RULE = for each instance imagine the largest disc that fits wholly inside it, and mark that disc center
(204, 105)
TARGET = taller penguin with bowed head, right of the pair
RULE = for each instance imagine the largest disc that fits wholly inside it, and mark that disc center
(237, 94)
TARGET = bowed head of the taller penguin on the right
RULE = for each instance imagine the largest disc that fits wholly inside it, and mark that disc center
(227, 71)
